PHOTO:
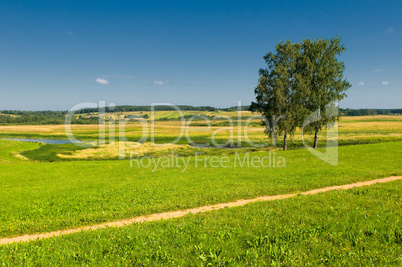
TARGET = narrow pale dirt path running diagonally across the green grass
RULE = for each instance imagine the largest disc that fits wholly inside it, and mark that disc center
(180, 213)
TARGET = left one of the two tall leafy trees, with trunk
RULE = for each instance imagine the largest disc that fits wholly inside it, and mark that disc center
(277, 90)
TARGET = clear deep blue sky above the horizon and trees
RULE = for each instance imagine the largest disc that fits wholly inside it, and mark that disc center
(55, 54)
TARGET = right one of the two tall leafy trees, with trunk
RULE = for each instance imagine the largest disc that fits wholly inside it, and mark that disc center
(322, 75)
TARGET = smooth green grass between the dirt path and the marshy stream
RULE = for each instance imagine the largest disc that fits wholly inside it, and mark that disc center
(40, 197)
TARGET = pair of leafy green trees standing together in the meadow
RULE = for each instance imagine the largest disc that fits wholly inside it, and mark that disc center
(301, 79)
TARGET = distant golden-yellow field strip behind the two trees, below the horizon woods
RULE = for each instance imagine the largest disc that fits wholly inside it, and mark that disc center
(362, 128)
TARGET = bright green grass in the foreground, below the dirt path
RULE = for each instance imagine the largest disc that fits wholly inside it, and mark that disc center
(357, 227)
